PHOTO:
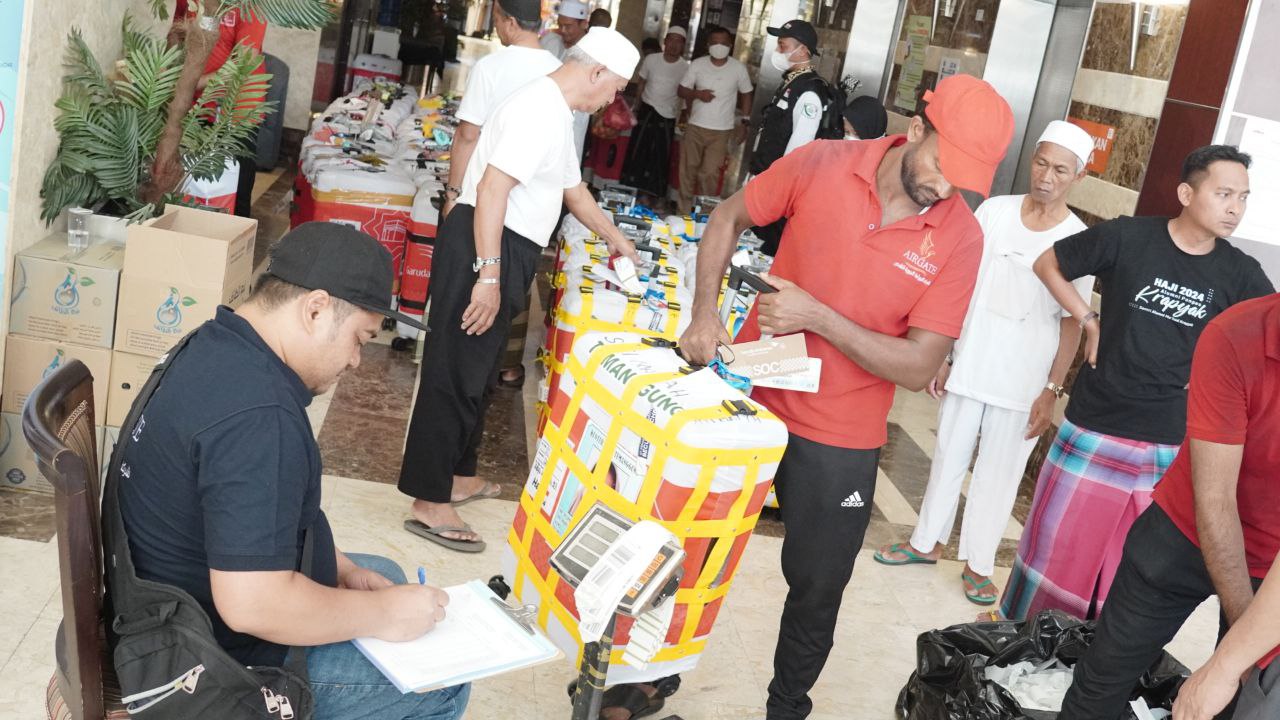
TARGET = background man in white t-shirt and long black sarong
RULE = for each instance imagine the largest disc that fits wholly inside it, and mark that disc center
(650, 151)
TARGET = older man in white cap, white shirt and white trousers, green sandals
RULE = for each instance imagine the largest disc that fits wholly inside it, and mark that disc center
(1008, 370)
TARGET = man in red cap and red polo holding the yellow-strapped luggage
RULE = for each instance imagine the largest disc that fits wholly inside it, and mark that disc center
(876, 268)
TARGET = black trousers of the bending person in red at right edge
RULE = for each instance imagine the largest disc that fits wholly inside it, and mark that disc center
(1160, 582)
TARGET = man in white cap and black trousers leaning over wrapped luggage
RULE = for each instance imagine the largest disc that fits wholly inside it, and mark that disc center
(520, 174)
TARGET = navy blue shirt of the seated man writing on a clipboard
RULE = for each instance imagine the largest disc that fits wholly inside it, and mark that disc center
(225, 475)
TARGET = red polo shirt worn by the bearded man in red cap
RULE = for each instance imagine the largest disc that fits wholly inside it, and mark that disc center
(917, 274)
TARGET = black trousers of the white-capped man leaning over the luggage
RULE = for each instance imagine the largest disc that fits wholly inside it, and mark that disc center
(459, 371)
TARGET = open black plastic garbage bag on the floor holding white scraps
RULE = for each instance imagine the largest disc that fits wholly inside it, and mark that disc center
(950, 681)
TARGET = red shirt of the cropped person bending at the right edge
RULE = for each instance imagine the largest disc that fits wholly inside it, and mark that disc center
(1235, 399)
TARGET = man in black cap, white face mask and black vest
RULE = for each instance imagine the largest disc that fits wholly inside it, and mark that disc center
(797, 113)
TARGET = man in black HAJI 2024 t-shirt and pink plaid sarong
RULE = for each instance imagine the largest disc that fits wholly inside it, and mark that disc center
(1163, 281)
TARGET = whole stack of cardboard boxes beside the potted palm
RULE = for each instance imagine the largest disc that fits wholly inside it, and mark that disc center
(116, 312)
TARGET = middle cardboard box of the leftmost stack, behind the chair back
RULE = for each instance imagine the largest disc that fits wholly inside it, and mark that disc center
(29, 361)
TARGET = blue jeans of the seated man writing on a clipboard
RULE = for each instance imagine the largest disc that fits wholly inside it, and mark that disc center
(349, 687)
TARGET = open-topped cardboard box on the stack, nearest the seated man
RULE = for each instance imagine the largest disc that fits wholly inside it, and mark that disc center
(179, 270)
